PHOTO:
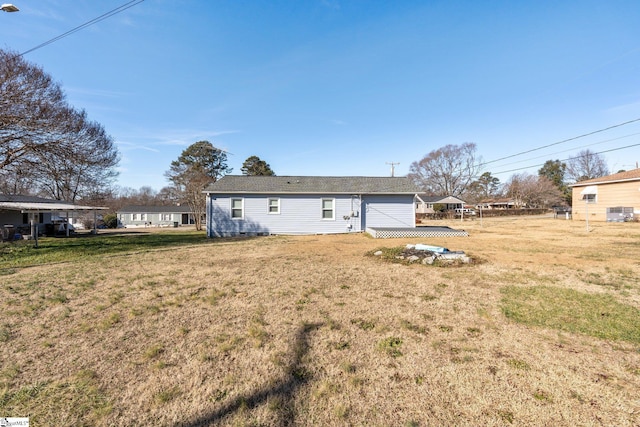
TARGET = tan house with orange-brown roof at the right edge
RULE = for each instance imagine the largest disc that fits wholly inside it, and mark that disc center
(609, 198)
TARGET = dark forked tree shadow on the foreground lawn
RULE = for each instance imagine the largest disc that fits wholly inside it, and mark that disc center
(282, 391)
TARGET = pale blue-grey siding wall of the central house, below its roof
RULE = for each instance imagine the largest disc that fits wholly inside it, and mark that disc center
(302, 214)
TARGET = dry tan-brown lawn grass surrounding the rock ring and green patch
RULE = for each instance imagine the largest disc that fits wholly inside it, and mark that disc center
(310, 331)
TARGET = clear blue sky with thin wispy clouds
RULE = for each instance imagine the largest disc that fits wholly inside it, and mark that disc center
(344, 88)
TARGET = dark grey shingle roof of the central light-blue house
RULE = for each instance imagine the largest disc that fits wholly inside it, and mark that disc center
(238, 184)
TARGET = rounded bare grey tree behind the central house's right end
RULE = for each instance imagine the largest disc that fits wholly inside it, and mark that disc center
(447, 171)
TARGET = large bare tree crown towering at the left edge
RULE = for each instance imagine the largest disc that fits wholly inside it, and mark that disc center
(46, 143)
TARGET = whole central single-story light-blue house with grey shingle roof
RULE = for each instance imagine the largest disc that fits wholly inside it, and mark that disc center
(238, 205)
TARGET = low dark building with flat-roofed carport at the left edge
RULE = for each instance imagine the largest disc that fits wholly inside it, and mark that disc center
(28, 215)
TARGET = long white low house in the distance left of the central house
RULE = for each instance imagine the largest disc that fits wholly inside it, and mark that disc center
(155, 216)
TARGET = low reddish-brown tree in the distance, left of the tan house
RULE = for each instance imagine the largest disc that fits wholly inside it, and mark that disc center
(532, 191)
